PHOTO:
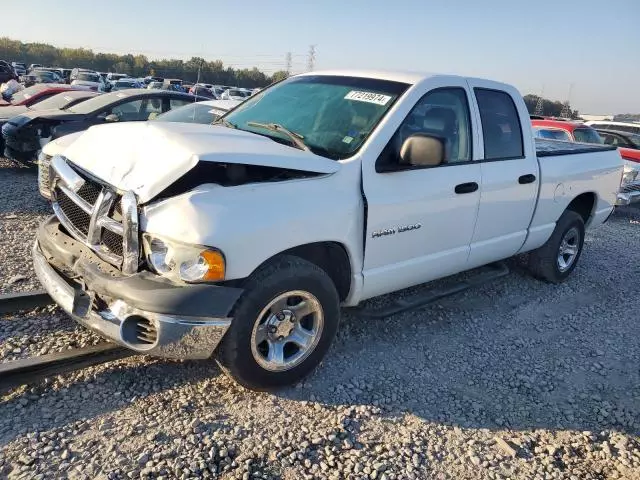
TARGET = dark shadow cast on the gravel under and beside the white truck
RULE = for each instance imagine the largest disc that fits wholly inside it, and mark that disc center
(514, 354)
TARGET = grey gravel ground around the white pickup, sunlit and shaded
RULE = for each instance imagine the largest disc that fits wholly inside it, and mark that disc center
(514, 379)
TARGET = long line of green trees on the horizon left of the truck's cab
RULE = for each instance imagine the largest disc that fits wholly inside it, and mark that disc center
(213, 72)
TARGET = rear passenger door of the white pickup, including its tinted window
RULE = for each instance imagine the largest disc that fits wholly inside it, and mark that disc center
(510, 173)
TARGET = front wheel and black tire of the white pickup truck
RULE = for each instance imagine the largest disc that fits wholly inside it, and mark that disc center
(245, 359)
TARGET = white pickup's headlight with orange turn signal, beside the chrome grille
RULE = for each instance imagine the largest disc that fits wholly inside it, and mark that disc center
(181, 262)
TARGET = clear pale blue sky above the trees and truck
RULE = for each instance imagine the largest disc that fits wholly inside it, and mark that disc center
(588, 49)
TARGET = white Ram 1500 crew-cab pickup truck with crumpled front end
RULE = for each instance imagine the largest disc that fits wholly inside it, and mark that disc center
(243, 239)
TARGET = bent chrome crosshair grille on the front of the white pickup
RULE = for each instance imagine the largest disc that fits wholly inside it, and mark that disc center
(95, 214)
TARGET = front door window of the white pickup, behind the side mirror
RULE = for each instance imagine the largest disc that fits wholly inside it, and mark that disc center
(441, 113)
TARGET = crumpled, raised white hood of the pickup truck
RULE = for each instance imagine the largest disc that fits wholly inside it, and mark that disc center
(147, 157)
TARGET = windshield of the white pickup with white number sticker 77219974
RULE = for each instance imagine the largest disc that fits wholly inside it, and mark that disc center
(334, 115)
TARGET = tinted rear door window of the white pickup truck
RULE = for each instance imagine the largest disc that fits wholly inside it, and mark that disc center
(500, 125)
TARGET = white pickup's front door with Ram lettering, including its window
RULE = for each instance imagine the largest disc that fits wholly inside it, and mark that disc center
(420, 220)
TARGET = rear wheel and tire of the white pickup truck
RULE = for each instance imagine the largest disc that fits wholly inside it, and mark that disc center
(545, 262)
